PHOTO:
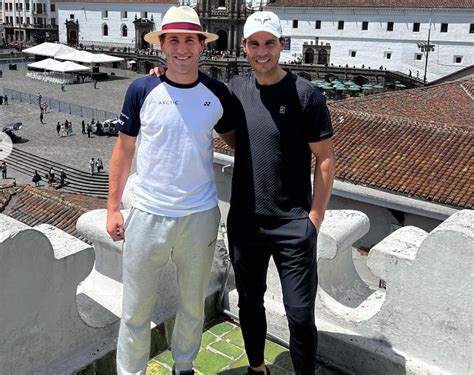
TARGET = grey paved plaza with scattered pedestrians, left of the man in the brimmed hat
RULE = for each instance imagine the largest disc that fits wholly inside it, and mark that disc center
(42, 139)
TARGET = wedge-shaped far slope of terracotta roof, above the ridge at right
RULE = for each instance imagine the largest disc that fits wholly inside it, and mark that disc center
(449, 103)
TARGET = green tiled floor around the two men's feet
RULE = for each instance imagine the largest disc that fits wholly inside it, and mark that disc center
(222, 352)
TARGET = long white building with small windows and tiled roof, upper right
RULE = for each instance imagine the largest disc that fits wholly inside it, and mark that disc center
(379, 33)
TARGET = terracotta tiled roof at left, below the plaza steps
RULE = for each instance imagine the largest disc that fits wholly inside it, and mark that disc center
(33, 206)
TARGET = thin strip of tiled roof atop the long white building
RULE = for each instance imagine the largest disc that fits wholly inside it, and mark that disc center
(467, 4)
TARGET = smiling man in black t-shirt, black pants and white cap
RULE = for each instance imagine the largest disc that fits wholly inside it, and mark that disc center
(284, 121)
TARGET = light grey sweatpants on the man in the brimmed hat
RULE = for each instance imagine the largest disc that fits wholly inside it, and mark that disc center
(149, 242)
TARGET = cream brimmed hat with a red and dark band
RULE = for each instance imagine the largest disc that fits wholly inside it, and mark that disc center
(180, 20)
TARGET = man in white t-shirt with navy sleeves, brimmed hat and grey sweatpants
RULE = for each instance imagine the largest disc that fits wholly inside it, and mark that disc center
(169, 120)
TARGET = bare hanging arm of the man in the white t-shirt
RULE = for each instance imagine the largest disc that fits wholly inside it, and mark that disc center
(119, 170)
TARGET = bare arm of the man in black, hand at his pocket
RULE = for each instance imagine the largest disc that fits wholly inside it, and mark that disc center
(323, 179)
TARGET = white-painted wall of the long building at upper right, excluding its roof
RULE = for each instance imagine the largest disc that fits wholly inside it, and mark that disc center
(374, 42)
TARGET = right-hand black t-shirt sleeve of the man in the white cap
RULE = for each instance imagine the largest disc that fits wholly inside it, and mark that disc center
(317, 120)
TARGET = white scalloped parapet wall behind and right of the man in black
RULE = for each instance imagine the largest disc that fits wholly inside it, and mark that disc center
(422, 323)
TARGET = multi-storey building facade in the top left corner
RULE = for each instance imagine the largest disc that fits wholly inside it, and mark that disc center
(28, 21)
